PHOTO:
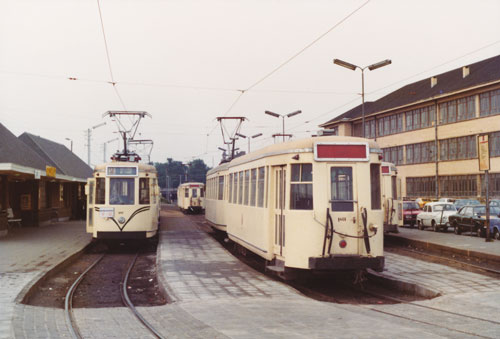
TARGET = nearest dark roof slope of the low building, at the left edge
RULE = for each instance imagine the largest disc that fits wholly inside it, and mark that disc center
(13, 150)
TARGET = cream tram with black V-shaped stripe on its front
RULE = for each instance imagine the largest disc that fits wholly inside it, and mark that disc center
(123, 201)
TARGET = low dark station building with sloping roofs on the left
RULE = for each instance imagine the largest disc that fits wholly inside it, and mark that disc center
(41, 181)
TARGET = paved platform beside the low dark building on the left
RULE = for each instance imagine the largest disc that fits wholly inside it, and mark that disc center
(28, 253)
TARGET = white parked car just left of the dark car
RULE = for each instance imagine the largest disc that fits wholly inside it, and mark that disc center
(435, 215)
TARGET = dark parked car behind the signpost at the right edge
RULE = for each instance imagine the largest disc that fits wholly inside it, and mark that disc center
(472, 218)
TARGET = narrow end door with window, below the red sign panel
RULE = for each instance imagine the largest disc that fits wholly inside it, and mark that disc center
(344, 206)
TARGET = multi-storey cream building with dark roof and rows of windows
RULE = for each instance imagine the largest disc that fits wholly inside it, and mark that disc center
(429, 130)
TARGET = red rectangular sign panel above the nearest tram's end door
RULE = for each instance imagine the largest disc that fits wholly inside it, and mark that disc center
(350, 151)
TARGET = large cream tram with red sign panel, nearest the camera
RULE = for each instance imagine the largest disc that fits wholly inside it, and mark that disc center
(311, 204)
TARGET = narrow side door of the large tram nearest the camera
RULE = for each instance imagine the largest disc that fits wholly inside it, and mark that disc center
(279, 176)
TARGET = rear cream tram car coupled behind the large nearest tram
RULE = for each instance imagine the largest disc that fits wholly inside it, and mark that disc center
(216, 199)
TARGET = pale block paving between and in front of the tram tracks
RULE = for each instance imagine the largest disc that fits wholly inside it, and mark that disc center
(216, 296)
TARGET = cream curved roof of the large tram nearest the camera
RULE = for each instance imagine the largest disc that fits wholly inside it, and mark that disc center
(302, 145)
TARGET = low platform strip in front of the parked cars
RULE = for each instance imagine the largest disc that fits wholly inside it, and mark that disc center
(466, 244)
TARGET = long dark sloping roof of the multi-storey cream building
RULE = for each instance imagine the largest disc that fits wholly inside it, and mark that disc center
(481, 72)
